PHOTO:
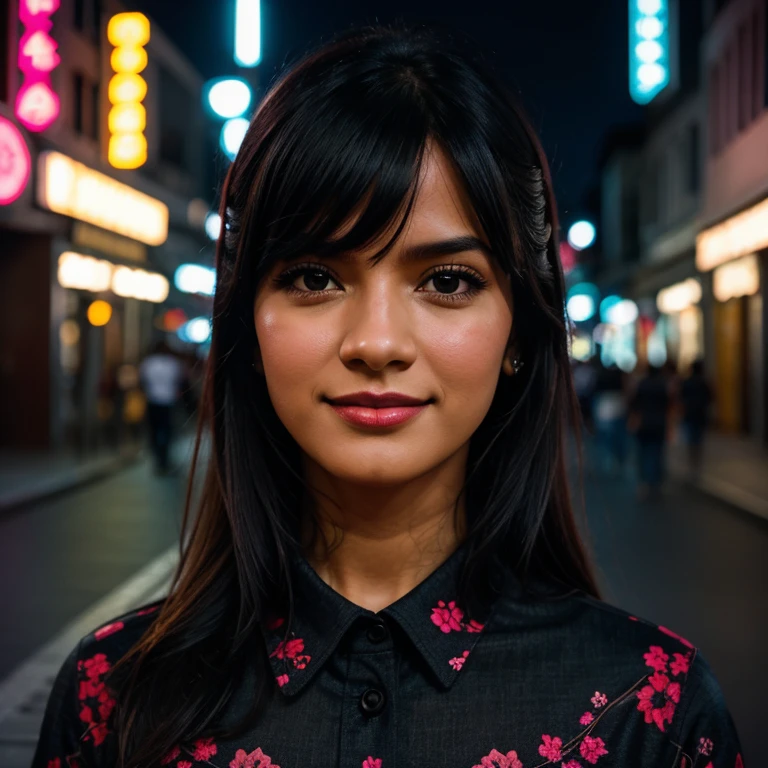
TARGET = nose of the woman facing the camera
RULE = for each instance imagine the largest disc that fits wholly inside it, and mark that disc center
(378, 331)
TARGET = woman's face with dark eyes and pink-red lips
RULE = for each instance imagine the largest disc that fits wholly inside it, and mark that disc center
(428, 327)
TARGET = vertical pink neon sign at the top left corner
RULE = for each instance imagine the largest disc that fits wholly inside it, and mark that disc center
(37, 104)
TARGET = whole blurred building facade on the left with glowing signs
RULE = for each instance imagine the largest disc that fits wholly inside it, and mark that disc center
(81, 231)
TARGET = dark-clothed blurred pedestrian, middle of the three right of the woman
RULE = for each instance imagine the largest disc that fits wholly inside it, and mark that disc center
(649, 409)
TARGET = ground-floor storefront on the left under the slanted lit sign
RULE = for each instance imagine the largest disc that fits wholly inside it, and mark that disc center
(80, 300)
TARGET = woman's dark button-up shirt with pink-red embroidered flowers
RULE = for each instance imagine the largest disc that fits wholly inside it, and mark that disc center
(571, 682)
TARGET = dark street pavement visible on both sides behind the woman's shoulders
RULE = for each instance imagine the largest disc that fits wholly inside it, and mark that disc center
(686, 561)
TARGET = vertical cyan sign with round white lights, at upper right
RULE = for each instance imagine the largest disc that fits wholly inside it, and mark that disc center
(649, 61)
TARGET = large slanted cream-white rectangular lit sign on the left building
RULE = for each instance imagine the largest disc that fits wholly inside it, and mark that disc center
(68, 187)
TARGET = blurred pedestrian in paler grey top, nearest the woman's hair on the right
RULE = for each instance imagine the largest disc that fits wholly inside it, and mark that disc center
(610, 412)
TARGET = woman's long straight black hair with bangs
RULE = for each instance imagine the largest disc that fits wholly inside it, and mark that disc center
(345, 130)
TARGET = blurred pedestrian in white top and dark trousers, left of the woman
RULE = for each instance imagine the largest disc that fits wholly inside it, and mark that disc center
(162, 375)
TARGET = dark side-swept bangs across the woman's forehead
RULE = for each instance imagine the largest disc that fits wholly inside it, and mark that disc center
(339, 182)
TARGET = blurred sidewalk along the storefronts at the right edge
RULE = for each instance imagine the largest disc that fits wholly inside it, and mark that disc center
(734, 470)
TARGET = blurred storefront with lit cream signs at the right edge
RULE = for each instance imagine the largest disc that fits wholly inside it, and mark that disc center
(733, 256)
